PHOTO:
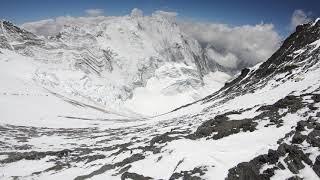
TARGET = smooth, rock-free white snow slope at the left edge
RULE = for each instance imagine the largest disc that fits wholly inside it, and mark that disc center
(25, 102)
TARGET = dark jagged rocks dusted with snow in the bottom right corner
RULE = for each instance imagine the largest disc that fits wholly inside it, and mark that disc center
(287, 156)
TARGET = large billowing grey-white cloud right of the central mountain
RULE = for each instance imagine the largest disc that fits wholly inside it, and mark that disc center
(235, 47)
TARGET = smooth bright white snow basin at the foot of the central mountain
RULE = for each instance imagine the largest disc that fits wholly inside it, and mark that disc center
(150, 101)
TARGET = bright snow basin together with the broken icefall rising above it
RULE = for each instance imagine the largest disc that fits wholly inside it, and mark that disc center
(164, 92)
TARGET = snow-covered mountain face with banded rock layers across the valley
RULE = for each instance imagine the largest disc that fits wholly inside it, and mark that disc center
(104, 60)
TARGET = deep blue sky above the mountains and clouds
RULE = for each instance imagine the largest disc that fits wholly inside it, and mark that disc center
(233, 12)
